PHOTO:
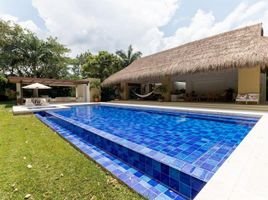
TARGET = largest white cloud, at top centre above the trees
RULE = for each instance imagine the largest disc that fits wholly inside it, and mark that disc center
(107, 24)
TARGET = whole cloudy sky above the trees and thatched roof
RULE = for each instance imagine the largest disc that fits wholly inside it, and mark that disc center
(149, 25)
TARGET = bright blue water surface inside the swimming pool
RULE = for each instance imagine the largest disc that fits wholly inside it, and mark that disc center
(202, 140)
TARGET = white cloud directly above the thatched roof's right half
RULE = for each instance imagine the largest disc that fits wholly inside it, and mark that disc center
(203, 24)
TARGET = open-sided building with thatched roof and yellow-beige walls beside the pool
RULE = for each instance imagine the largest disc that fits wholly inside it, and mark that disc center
(226, 67)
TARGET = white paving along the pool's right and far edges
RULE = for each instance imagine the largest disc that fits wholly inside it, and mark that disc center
(244, 173)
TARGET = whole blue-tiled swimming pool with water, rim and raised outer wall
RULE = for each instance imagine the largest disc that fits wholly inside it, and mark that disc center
(180, 149)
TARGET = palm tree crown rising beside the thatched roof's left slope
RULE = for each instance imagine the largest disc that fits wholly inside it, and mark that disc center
(129, 56)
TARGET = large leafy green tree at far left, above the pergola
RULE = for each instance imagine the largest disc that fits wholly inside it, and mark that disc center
(22, 53)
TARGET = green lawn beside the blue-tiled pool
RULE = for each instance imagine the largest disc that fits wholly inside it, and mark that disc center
(58, 170)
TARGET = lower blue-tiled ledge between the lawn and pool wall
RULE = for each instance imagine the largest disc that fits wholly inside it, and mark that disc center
(136, 180)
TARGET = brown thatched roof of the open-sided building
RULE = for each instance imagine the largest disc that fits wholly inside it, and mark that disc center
(244, 47)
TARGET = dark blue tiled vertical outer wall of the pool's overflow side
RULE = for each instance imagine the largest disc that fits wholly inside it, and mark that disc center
(180, 182)
